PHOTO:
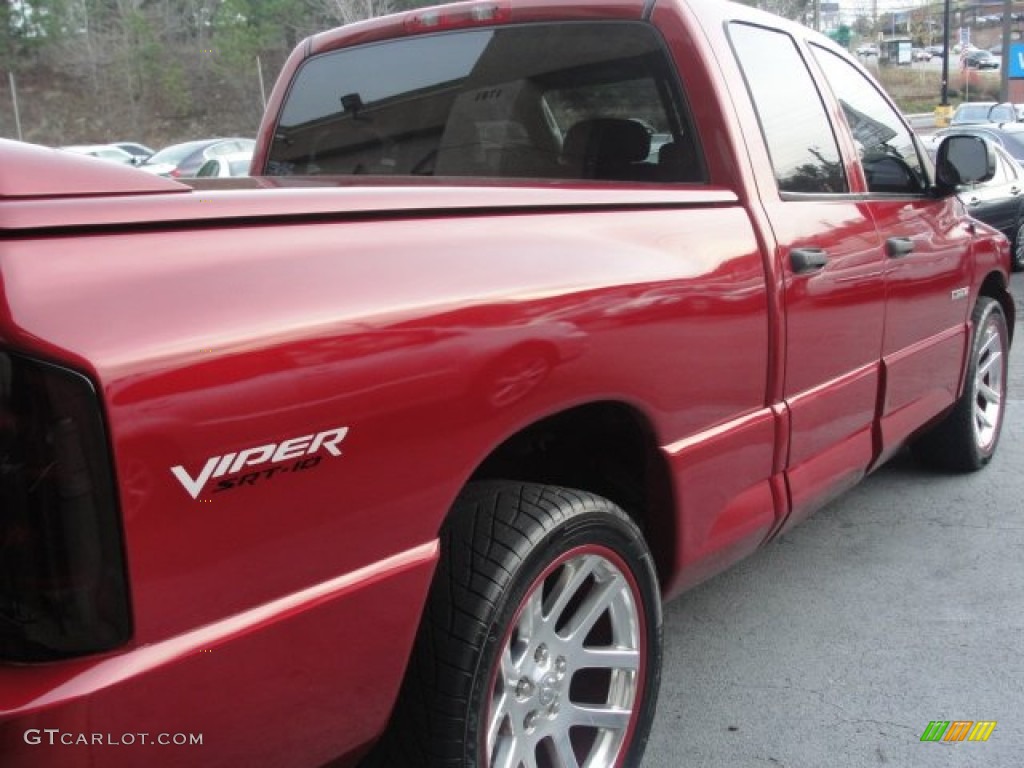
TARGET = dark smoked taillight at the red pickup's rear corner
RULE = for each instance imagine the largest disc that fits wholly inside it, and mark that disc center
(63, 585)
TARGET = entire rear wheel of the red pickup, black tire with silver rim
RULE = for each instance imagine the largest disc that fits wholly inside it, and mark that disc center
(504, 544)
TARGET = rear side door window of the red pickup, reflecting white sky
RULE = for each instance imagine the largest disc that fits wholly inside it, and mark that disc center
(798, 134)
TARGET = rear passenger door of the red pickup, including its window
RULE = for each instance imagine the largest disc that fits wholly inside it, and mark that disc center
(831, 267)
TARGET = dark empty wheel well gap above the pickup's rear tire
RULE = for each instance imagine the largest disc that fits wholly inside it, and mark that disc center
(607, 449)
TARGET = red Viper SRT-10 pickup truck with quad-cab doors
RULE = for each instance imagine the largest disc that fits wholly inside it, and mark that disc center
(537, 315)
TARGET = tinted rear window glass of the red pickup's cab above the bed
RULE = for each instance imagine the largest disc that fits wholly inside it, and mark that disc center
(574, 101)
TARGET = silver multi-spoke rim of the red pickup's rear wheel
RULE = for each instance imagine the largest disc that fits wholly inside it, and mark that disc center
(570, 670)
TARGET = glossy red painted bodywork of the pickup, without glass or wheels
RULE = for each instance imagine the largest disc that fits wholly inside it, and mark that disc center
(216, 322)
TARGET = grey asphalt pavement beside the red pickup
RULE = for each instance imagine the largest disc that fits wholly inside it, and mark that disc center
(900, 605)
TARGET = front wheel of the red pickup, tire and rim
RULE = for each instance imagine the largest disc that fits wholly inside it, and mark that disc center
(967, 438)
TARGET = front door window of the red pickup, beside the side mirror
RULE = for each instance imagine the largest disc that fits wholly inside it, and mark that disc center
(888, 152)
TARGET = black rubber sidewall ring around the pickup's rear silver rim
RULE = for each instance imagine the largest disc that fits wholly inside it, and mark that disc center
(594, 529)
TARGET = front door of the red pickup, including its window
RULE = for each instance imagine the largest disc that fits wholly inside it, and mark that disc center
(927, 249)
